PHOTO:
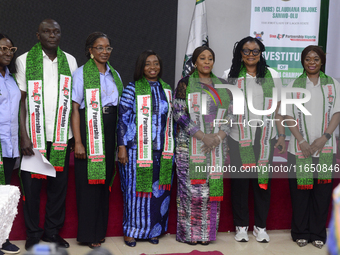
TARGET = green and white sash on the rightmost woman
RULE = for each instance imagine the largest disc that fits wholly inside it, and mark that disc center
(303, 165)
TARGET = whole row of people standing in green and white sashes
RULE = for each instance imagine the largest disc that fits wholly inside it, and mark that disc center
(152, 127)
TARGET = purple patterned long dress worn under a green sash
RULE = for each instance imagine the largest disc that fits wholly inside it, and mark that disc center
(197, 216)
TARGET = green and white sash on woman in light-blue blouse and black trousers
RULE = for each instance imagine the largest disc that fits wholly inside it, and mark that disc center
(96, 166)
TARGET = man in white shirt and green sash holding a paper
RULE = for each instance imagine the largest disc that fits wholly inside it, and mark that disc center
(45, 80)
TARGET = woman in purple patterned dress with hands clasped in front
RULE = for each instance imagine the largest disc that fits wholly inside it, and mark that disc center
(200, 149)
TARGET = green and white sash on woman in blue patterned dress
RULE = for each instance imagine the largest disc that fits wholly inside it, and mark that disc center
(144, 169)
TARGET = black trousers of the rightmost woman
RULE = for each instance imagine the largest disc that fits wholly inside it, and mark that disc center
(310, 207)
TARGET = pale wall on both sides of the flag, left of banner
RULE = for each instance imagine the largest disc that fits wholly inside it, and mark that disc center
(228, 22)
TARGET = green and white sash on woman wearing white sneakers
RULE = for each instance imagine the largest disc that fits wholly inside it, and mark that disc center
(245, 134)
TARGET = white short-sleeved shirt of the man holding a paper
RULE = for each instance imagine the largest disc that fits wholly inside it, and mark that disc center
(50, 69)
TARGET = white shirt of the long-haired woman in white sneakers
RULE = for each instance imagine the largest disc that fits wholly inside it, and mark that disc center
(257, 96)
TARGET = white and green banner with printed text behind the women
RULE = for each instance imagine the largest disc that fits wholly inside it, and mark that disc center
(285, 28)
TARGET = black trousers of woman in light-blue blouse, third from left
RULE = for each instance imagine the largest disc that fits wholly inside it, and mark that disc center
(93, 199)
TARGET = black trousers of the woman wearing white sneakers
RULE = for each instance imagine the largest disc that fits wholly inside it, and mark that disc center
(240, 186)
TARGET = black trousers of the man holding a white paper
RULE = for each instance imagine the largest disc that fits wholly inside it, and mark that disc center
(55, 206)
